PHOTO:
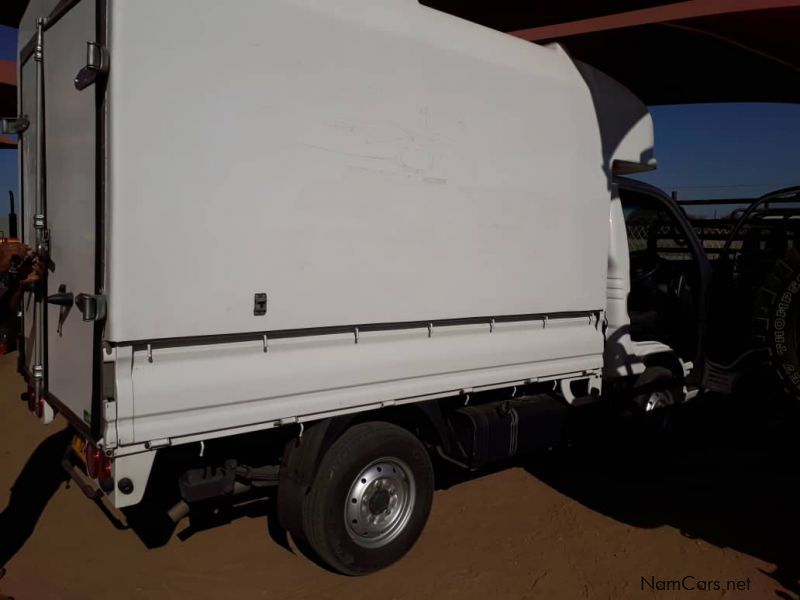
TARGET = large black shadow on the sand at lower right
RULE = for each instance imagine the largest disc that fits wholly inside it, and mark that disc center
(727, 473)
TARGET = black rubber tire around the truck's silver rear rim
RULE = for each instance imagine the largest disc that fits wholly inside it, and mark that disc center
(325, 526)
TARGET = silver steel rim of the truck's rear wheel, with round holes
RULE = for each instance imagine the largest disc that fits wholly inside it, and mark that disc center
(380, 502)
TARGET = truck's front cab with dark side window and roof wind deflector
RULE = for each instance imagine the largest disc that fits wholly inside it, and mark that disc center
(658, 272)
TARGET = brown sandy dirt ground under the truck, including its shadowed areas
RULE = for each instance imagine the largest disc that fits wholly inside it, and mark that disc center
(721, 503)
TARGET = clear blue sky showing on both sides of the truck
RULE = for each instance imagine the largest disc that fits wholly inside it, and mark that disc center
(703, 150)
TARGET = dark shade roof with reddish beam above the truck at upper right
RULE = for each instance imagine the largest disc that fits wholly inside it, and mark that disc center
(665, 52)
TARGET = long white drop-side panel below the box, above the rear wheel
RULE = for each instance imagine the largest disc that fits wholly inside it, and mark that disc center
(191, 390)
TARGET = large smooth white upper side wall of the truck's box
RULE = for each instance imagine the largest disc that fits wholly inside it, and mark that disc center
(360, 161)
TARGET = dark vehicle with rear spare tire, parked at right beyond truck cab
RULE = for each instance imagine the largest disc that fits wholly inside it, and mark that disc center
(752, 329)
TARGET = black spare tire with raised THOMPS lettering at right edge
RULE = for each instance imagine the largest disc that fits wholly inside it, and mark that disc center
(777, 310)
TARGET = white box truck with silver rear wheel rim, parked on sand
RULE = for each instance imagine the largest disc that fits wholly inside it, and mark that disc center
(319, 247)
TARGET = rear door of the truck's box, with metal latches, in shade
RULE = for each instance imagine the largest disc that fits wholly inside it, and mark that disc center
(64, 342)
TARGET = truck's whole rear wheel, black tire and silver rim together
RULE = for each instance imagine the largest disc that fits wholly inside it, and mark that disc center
(370, 498)
